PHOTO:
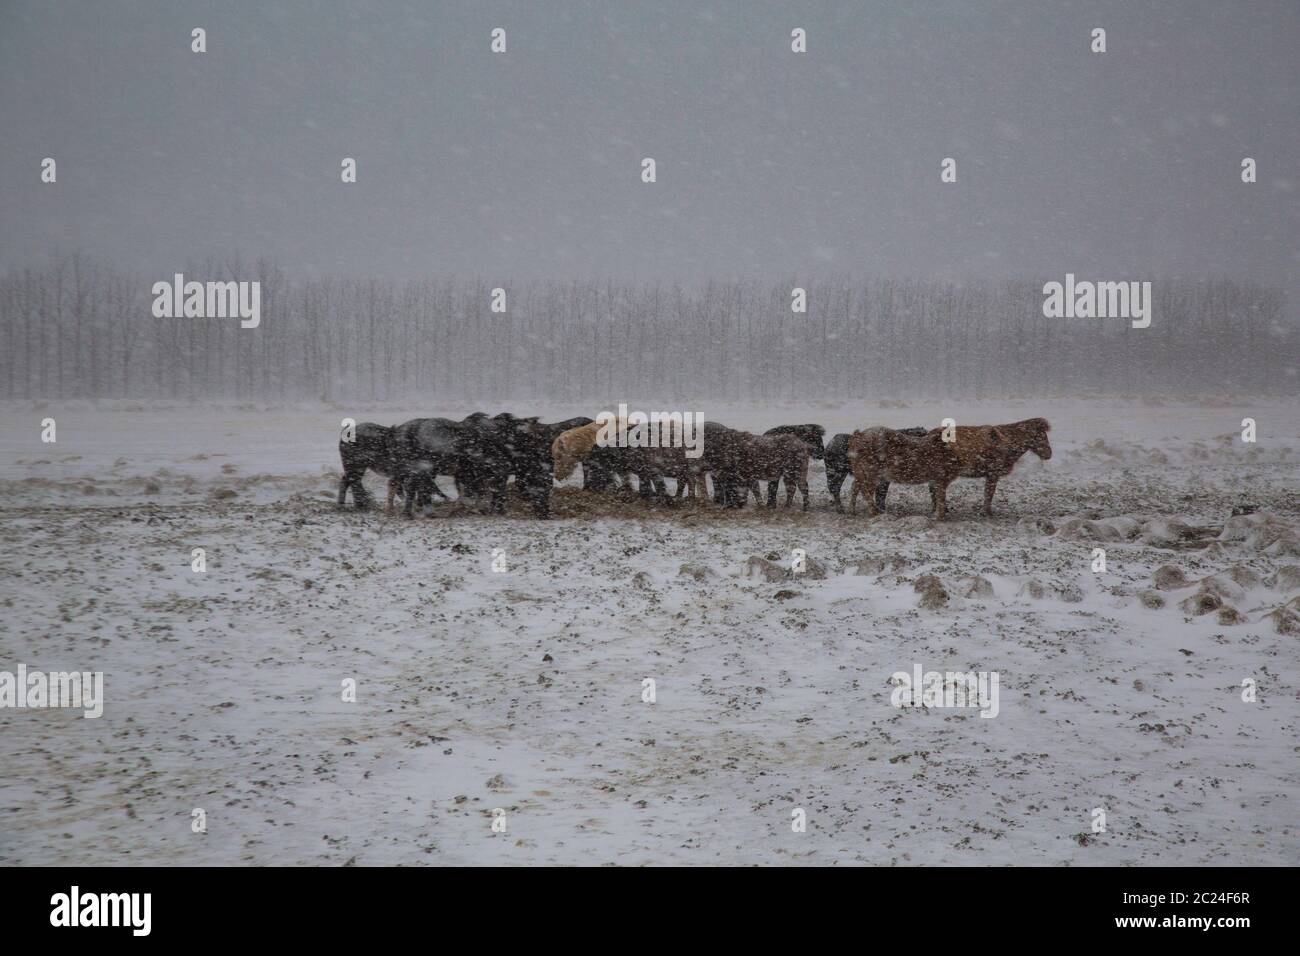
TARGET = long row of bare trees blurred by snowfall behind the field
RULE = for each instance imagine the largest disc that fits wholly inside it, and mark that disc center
(80, 330)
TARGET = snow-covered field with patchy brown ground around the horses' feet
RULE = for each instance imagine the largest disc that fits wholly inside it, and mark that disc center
(522, 690)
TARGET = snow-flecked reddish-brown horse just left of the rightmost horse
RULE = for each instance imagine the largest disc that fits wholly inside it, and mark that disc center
(882, 455)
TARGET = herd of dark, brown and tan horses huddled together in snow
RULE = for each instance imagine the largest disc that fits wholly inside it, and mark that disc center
(482, 453)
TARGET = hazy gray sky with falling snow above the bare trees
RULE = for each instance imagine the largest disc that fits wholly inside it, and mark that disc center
(527, 165)
